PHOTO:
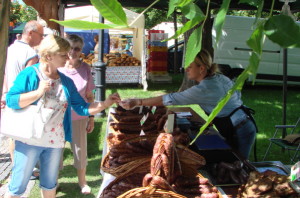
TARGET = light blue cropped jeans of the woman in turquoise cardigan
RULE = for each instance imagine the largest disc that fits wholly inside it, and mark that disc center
(25, 159)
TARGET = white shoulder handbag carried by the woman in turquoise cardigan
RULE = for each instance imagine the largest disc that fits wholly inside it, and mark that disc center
(25, 123)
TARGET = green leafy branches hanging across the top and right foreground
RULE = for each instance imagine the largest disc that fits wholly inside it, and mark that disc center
(280, 29)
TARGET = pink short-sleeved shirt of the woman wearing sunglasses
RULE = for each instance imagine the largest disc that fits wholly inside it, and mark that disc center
(83, 80)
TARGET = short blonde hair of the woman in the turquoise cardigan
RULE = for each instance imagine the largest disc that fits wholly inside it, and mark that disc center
(52, 44)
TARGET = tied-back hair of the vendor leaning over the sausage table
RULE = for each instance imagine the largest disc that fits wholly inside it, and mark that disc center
(204, 57)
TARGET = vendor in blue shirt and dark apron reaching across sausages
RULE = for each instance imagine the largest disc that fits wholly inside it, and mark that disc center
(232, 122)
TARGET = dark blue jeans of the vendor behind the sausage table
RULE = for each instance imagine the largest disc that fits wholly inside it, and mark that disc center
(246, 136)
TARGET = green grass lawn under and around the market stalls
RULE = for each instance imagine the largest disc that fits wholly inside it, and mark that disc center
(265, 99)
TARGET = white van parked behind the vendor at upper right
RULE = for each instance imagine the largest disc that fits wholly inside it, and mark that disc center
(232, 53)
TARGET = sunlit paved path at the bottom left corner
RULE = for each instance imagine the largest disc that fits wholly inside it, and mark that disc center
(5, 168)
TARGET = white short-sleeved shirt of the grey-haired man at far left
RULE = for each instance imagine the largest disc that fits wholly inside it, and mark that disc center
(18, 55)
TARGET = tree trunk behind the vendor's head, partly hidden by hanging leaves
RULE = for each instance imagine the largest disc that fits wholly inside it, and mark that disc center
(206, 44)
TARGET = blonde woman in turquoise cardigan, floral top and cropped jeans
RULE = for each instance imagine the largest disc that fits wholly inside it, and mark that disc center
(60, 94)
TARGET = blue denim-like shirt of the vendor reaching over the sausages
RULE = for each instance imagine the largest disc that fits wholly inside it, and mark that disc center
(207, 94)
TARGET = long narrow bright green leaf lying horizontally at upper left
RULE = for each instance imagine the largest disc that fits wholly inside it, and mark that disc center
(85, 25)
